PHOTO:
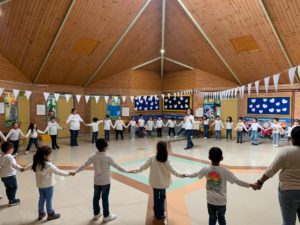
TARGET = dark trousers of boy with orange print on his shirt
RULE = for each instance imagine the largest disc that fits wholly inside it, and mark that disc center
(216, 213)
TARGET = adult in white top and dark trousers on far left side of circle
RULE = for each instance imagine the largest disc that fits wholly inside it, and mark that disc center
(74, 120)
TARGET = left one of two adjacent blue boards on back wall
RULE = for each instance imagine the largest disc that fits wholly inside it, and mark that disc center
(146, 103)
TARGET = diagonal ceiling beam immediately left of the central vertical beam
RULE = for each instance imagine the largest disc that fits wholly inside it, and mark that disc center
(119, 41)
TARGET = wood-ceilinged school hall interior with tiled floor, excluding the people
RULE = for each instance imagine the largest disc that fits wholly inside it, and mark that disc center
(156, 58)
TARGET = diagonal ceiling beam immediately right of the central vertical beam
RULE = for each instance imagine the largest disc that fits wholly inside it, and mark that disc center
(205, 36)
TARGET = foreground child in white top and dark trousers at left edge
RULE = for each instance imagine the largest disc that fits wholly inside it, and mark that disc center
(8, 167)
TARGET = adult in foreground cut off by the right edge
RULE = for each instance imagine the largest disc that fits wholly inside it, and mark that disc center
(287, 161)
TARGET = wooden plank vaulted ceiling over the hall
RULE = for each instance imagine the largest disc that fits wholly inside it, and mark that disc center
(74, 37)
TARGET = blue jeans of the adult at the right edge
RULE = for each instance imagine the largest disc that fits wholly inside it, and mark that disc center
(290, 206)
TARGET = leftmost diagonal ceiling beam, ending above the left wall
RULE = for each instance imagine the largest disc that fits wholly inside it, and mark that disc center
(67, 14)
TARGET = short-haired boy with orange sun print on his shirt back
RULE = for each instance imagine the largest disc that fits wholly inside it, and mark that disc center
(216, 186)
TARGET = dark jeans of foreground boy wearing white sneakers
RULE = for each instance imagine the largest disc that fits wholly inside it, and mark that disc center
(98, 189)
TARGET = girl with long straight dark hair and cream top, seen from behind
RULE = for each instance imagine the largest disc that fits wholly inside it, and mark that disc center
(160, 177)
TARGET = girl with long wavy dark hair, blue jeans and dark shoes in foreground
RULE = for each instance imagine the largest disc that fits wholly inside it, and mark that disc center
(45, 180)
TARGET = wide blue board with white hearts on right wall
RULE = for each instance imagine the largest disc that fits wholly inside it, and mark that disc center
(269, 106)
